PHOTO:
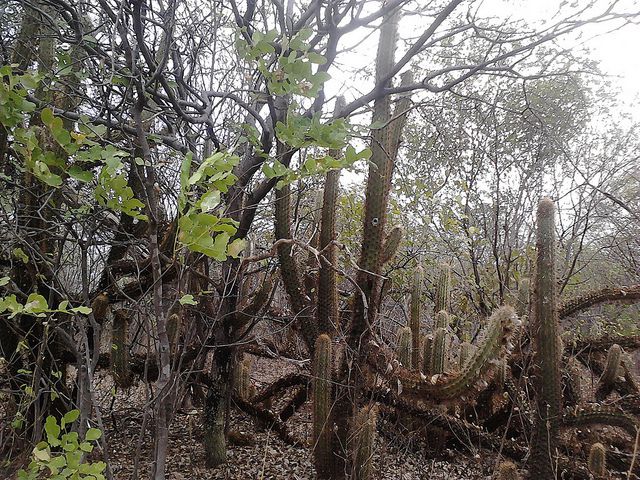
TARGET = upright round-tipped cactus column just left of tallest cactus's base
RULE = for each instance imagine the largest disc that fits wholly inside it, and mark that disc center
(322, 424)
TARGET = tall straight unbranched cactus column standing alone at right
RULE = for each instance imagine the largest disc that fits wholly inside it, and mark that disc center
(547, 355)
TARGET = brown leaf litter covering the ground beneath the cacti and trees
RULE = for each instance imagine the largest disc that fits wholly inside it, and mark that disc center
(264, 456)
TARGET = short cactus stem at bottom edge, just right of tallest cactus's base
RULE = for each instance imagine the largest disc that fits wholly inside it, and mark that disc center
(363, 438)
